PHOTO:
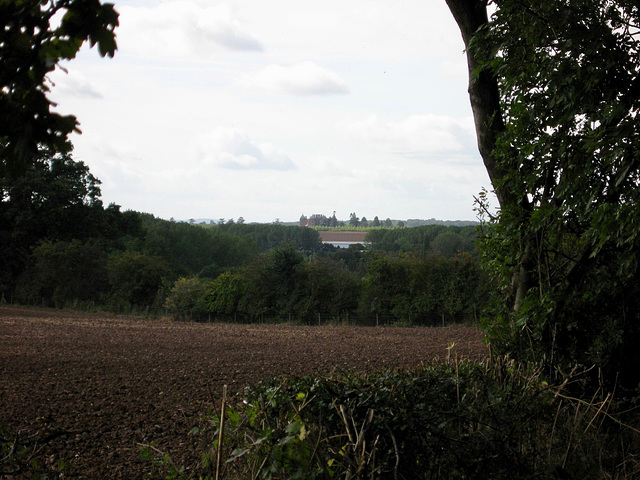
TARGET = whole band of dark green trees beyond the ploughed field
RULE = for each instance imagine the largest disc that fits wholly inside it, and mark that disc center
(61, 246)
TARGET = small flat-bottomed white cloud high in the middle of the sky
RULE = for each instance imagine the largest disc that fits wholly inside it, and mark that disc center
(306, 78)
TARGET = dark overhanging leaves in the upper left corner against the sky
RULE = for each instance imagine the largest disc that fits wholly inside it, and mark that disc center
(31, 46)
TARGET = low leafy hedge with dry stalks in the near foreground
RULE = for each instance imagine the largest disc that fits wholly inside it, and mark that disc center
(458, 420)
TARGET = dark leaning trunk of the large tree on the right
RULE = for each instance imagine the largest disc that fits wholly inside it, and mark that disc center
(484, 94)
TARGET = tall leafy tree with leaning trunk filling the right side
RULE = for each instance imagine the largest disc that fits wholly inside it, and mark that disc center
(555, 89)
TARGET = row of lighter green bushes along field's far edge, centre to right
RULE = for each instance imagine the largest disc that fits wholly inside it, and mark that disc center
(282, 283)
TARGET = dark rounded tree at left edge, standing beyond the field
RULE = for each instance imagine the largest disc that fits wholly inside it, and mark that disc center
(56, 204)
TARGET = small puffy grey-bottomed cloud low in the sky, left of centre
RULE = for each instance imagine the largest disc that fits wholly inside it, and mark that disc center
(233, 149)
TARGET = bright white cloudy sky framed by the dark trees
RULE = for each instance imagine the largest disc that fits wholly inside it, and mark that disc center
(272, 110)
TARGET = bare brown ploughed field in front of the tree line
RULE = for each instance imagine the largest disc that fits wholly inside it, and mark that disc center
(111, 383)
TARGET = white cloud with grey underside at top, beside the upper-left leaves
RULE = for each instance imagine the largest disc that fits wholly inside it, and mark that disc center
(179, 29)
